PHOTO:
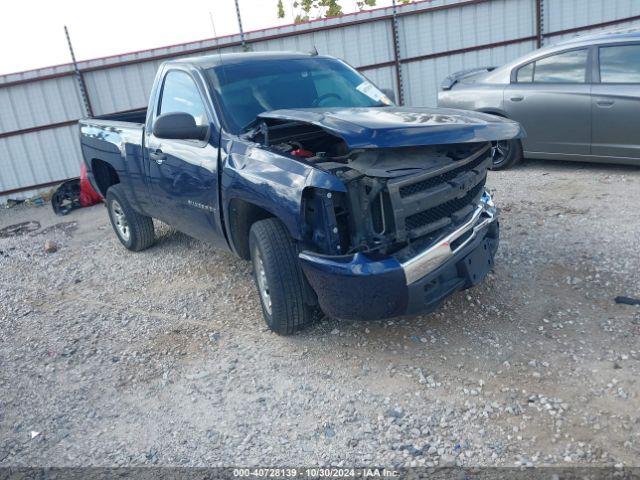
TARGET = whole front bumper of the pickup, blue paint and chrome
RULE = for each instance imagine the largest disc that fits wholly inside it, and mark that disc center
(358, 287)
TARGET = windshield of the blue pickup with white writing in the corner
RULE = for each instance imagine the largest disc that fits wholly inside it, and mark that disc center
(247, 89)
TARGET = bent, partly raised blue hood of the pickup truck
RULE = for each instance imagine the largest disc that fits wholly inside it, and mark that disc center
(382, 127)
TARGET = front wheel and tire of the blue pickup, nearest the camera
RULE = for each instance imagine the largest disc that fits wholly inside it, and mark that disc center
(279, 278)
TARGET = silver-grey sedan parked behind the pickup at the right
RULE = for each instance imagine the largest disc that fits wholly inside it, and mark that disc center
(577, 100)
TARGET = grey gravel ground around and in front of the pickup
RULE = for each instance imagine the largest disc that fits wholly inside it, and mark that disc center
(162, 357)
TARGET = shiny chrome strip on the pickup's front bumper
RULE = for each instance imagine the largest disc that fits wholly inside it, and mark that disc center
(417, 267)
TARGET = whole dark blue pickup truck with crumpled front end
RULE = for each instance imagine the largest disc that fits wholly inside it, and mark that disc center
(344, 202)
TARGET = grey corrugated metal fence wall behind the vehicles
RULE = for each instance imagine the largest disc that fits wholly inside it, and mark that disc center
(38, 109)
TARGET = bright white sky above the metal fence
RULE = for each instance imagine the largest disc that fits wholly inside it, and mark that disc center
(32, 31)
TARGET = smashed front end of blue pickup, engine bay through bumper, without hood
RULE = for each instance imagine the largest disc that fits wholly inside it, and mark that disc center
(413, 224)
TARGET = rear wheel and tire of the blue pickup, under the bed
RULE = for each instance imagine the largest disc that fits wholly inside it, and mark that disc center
(135, 231)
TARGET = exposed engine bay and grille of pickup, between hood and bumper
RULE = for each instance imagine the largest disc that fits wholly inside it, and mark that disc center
(398, 200)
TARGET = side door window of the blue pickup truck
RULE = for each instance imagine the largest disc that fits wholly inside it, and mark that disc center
(180, 94)
